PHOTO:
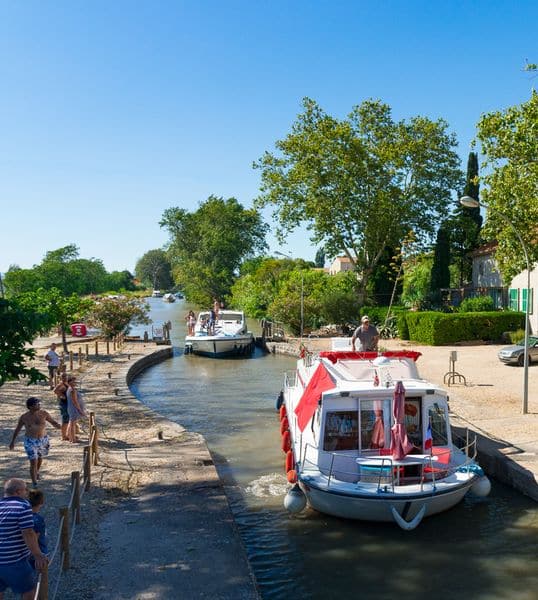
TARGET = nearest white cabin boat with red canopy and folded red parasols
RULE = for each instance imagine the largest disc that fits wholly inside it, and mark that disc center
(366, 438)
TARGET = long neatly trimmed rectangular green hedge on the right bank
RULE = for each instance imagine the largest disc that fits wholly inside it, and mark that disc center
(436, 328)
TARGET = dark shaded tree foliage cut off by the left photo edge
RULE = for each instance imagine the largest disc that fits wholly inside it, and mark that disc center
(18, 329)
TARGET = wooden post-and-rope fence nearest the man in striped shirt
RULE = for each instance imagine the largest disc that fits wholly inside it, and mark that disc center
(70, 516)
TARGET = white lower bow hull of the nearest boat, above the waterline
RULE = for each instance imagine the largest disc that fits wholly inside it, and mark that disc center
(379, 507)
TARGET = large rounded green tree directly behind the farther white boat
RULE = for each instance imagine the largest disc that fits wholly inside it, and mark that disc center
(208, 246)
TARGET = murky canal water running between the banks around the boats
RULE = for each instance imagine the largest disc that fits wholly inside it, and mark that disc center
(481, 549)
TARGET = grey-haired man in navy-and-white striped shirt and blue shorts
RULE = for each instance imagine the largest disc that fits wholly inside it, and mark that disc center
(18, 542)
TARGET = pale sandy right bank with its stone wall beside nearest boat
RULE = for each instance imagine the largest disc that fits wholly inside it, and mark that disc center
(487, 402)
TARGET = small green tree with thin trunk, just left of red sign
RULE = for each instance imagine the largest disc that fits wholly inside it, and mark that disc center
(61, 311)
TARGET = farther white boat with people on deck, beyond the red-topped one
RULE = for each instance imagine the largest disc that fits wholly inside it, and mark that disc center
(227, 337)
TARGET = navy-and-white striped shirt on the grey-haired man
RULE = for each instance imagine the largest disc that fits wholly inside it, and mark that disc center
(15, 515)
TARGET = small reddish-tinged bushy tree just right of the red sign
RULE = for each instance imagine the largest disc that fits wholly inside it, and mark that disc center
(115, 315)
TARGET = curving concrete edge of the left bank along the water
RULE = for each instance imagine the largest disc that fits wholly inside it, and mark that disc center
(125, 377)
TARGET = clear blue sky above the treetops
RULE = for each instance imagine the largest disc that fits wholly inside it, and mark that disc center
(111, 112)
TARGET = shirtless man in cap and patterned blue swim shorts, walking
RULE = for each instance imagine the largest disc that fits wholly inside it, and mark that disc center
(36, 440)
